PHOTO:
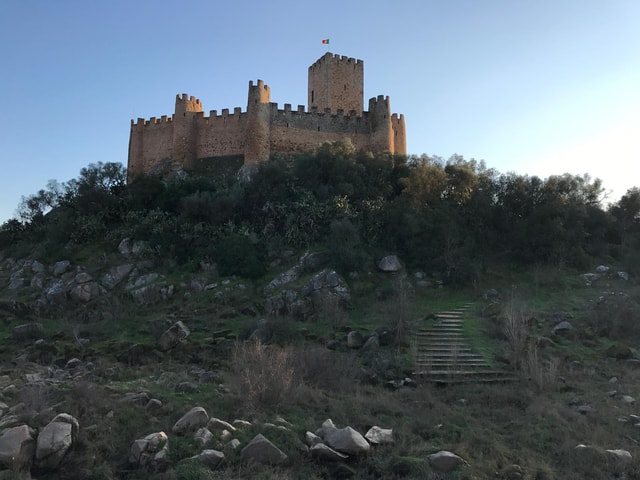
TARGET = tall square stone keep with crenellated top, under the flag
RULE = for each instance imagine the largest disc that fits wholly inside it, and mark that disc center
(336, 83)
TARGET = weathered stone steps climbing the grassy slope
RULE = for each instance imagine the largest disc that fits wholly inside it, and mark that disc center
(443, 354)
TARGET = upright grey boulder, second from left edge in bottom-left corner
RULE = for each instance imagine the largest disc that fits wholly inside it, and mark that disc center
(55, 440)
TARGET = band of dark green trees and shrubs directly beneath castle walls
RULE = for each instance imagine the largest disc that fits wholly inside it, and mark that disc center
(450, 218)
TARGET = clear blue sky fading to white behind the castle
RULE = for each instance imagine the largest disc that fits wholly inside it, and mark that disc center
(536, 87)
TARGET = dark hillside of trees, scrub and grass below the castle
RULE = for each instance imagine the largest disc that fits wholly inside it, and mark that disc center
(126, 306)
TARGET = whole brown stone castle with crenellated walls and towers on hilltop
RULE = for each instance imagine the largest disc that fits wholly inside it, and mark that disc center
(189, 139)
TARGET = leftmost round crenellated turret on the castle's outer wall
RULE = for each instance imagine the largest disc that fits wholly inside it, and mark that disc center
(185, 132)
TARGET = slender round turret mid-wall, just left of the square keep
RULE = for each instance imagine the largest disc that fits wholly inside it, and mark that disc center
(257, 143)
